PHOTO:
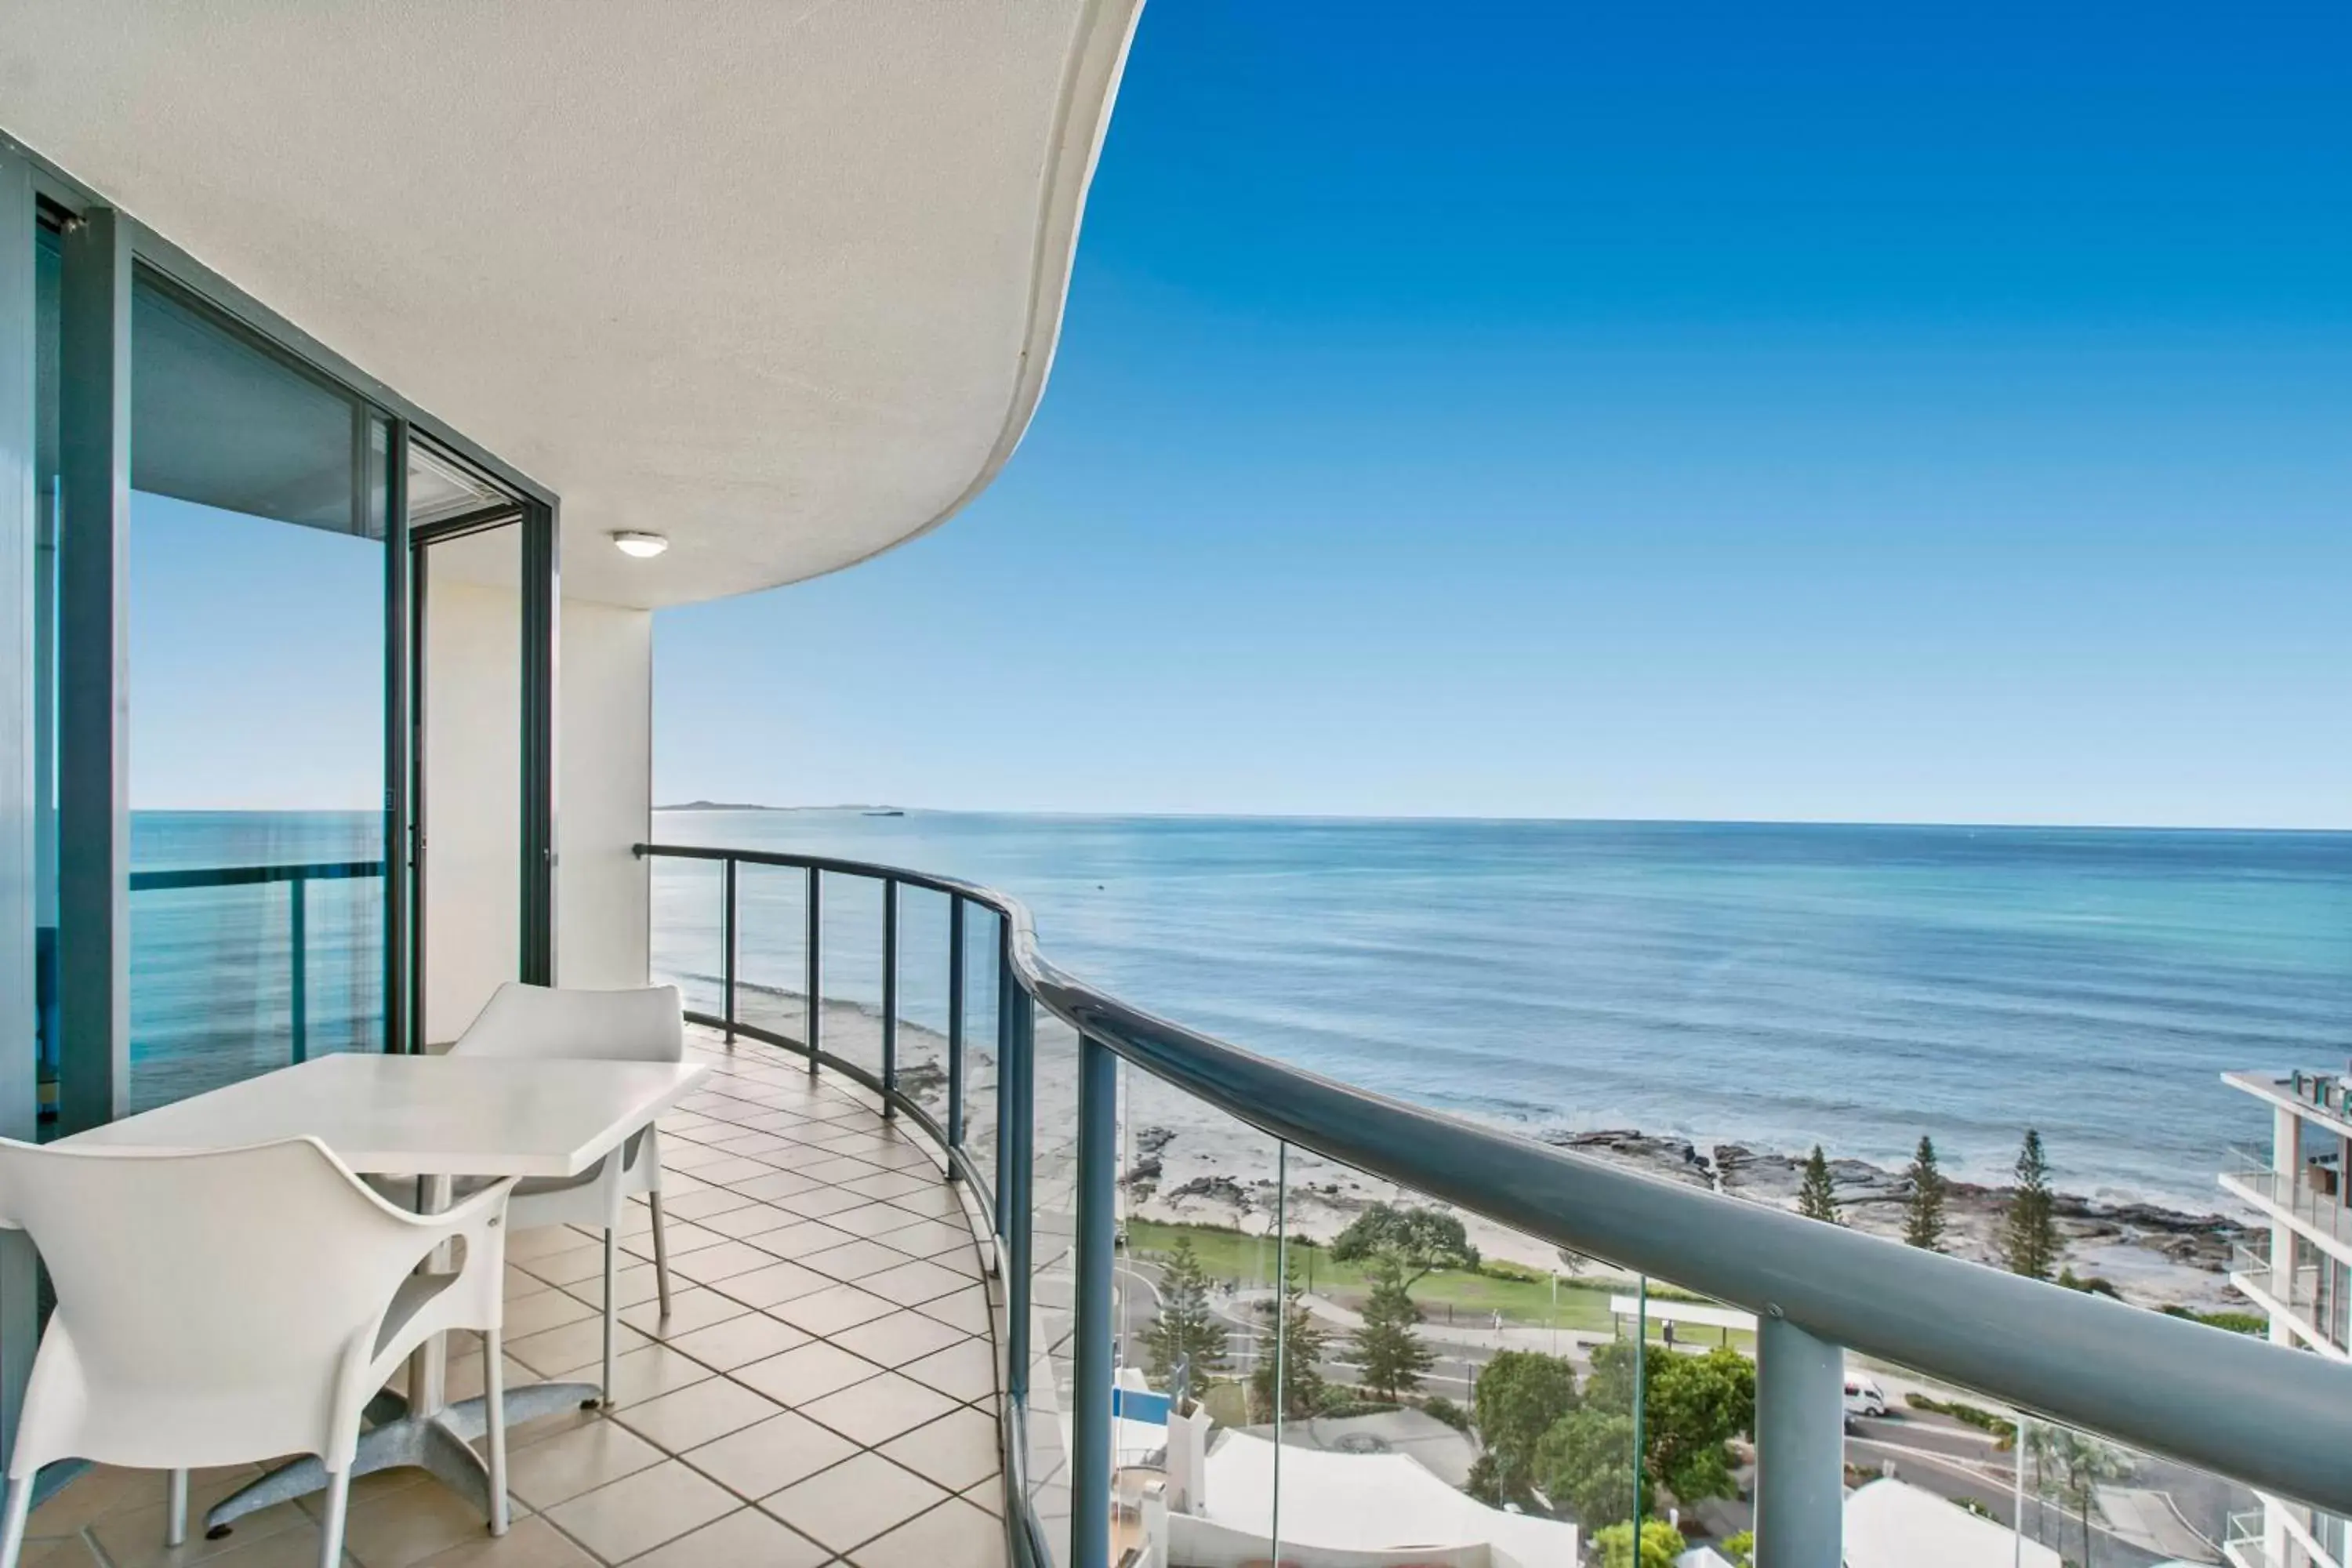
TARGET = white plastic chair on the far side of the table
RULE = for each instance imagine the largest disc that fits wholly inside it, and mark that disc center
(606, 1026)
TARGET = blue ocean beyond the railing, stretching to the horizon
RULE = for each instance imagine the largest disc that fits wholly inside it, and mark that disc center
(1723, 981)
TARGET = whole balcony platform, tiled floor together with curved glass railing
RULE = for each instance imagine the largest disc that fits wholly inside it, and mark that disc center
(935, 1224)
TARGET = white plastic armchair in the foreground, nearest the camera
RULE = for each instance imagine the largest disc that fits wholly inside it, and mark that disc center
(234, 1306)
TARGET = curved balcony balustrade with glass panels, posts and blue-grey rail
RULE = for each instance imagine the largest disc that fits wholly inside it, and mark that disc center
(1187, 1334)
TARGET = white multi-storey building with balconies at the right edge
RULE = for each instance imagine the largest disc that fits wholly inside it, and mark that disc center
(2301, 1275)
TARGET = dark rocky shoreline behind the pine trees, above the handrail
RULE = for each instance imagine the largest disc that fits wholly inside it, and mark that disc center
(2151, 1254)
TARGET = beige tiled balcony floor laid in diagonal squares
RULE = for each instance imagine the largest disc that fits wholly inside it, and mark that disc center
(824, 1391)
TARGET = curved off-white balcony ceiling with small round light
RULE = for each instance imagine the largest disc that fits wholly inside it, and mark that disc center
(777, 279)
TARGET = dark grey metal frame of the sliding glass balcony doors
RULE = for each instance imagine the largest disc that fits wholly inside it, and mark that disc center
(100, 253)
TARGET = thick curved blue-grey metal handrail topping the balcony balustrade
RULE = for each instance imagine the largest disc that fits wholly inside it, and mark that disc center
(2167, 1386)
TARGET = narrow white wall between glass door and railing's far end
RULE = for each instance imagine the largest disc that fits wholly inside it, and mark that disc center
(603, 793)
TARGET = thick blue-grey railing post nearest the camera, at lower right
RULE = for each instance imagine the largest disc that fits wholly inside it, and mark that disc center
(1800, 1447)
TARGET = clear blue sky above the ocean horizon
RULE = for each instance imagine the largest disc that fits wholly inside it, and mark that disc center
(1692, 410)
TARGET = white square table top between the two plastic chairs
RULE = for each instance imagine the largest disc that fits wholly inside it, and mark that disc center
(422, 1115)
